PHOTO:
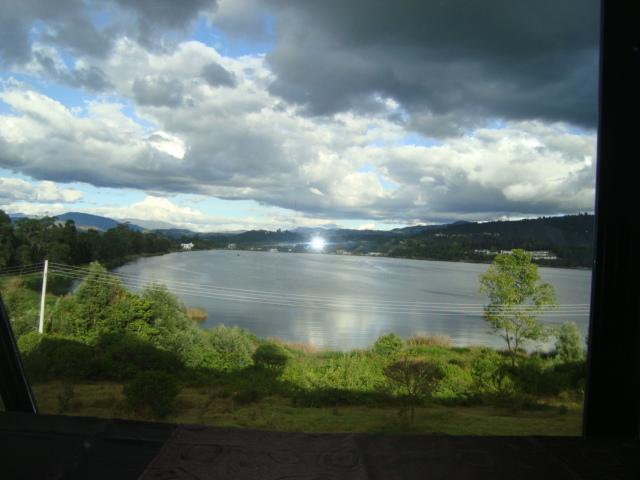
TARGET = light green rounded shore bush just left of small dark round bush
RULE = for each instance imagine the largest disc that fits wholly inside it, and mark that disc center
(231, 348)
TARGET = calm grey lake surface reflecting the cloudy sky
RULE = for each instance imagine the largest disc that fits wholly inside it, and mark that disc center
(341, 301)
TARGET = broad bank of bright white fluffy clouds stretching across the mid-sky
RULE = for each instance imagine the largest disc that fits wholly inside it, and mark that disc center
(235, 140)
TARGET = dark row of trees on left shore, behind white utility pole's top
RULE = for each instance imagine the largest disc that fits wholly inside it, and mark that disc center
(27, 241)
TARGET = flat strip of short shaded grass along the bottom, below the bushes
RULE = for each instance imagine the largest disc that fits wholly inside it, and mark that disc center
(217, 407)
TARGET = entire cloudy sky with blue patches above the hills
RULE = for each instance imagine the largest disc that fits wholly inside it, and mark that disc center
(241, 114)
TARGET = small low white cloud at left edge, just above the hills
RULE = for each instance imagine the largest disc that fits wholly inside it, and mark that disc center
(15, 189)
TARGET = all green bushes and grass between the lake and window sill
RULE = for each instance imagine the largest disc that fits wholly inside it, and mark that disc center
(109, 352)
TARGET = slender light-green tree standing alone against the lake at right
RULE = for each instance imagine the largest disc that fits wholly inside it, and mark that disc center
(516, 295)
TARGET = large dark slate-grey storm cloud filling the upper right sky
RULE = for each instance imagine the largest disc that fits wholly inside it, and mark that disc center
(505, 58)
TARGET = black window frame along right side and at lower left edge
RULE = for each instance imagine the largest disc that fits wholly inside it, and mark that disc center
(613, 367)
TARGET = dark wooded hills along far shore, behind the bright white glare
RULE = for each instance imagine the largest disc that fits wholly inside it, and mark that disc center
(569, 238)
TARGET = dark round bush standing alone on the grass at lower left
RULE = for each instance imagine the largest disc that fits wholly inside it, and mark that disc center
(152, 394)
